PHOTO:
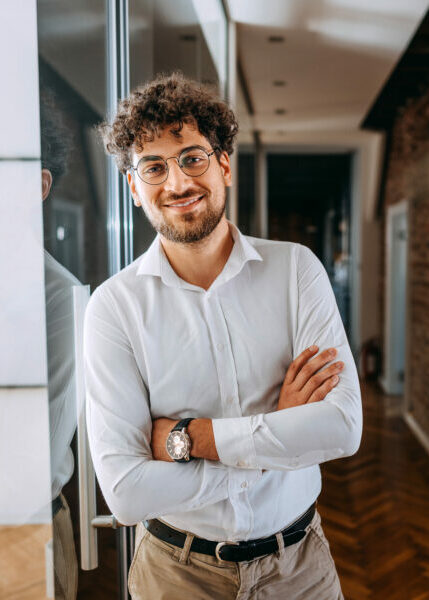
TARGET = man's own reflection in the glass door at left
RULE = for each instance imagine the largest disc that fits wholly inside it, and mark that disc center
(59, 282)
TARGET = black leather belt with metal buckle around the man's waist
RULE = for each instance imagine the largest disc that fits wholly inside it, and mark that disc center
(233, 551)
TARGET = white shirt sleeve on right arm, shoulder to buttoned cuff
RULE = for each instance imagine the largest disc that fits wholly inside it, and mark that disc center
(313, 433)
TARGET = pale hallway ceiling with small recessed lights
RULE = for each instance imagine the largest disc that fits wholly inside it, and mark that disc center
(333, 56)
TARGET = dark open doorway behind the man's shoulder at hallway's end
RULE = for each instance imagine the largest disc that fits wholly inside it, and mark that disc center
(309, 202)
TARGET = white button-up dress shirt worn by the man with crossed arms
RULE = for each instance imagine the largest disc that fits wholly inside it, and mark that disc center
(157, 346)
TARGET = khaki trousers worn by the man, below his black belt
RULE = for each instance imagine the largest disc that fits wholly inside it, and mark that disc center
(303, 571)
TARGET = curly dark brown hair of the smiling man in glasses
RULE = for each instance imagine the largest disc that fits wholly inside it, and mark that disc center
(167, 100)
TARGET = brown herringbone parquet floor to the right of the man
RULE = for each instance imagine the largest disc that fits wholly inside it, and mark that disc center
(375, 509)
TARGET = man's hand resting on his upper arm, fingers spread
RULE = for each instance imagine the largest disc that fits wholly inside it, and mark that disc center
(304, 382)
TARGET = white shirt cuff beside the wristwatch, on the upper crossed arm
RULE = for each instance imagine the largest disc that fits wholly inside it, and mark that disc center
(234, 442)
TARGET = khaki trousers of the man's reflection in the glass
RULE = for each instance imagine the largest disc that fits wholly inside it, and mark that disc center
(65, 561)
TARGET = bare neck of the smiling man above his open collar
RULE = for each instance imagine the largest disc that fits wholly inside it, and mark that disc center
(201, 262)
